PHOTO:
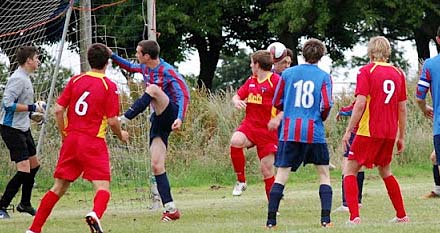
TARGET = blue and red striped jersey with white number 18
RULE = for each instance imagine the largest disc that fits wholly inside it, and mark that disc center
(304, 93)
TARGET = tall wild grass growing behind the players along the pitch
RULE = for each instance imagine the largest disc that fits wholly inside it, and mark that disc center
(199, 153)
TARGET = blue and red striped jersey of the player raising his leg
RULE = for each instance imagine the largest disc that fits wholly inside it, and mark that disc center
(165, 76)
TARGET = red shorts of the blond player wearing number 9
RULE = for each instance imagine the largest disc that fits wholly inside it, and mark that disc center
(371, 152)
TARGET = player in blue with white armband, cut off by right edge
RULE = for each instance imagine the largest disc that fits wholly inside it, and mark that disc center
(430, 80)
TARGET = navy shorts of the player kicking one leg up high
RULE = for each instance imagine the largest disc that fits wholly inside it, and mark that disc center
(161, 124)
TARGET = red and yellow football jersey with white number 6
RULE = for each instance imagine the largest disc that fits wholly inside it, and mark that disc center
(90, 99)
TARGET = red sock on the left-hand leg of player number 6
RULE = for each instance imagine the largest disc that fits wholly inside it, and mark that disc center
(46, 205)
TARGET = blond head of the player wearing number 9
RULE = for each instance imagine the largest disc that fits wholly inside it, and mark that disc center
(379, 49)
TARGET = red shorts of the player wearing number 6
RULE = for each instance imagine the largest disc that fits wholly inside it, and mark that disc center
(83, 154)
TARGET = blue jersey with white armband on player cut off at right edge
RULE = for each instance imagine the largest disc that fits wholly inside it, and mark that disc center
(430, 81)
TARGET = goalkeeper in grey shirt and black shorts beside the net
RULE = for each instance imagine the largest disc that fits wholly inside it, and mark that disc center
(17, 105)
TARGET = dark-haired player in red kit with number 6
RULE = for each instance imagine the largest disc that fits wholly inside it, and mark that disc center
(90, 102)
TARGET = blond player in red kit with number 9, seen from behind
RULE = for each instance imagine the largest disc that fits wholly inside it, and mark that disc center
(380, 114)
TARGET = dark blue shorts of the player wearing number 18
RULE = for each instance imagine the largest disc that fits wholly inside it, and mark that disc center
(293, 154)
